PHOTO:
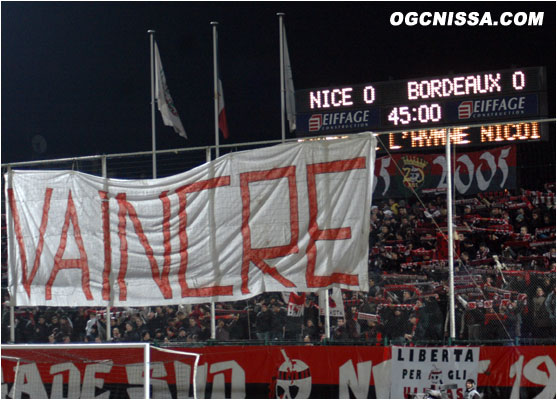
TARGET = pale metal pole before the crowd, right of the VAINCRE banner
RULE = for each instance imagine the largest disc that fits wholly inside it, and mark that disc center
(450, 232)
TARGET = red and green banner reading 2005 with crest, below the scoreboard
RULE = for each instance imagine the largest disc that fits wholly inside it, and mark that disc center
(479, 171)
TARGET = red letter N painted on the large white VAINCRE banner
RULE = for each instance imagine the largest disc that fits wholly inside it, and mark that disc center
(160, 279)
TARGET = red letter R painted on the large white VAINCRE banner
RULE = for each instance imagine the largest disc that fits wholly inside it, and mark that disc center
(257, 256)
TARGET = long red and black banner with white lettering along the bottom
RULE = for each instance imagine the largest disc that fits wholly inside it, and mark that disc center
(292, 372)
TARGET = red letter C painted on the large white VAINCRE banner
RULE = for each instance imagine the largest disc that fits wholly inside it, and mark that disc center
(182, 194)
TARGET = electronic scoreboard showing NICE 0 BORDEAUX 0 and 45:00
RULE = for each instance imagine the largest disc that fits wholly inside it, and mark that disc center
(418, 104)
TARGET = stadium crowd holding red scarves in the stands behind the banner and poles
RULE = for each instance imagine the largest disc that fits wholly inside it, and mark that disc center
(504, 287)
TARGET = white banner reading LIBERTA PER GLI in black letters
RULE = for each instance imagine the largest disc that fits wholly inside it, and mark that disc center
(414, 370)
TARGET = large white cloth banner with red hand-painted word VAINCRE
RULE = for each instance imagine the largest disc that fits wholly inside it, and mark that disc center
(292, 217)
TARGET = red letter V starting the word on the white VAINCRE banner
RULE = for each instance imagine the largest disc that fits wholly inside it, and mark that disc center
(26, 281)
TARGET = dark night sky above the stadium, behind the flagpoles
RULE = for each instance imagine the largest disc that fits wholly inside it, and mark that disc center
(77, 74)
